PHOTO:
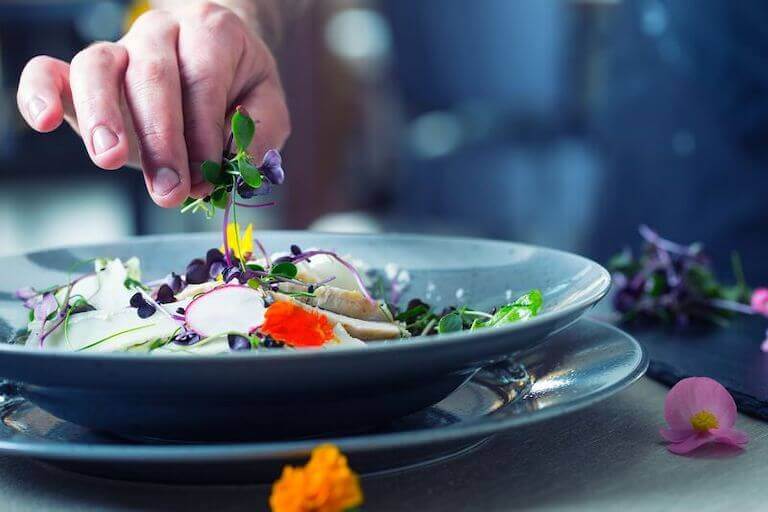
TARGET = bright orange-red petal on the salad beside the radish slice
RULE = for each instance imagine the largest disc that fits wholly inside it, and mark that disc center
(295, 326)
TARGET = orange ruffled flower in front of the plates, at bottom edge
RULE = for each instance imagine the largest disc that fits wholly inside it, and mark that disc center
(325, 484)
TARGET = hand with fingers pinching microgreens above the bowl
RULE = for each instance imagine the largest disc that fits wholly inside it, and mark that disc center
(158, 98)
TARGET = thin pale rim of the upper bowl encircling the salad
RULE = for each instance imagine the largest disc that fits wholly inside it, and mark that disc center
(424, 343)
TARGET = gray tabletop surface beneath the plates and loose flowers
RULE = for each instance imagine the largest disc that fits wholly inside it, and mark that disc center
(605, 458)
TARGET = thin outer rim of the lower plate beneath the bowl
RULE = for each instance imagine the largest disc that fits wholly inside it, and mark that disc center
(365, 443)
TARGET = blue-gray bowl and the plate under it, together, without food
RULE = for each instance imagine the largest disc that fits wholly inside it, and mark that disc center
(388, 406)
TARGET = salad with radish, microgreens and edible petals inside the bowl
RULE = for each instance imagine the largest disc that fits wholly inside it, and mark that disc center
(240, 302)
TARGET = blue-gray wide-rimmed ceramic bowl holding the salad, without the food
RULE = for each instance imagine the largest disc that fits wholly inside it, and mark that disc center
(285, 394)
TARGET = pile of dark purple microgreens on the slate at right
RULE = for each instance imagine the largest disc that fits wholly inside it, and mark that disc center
(674, 283)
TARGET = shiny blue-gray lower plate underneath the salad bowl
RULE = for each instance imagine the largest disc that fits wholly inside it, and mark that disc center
(574, 369)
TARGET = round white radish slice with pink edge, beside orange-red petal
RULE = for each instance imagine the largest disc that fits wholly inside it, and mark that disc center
(230, 308)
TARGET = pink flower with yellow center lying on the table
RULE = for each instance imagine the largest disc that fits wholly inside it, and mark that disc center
(700, 410)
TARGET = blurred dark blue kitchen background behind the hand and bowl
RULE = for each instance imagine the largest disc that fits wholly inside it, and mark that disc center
(555, 122)
